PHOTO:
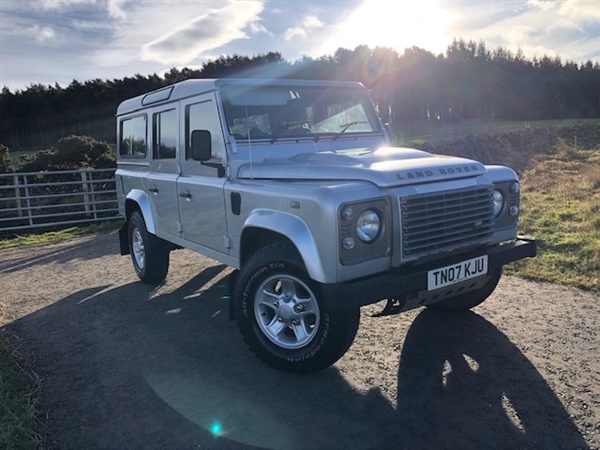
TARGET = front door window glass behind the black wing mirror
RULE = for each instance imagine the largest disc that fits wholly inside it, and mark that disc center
(203, 116)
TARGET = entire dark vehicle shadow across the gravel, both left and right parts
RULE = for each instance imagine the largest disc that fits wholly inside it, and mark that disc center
(131, 367)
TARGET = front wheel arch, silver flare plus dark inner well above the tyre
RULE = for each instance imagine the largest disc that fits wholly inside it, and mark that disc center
(264, 227)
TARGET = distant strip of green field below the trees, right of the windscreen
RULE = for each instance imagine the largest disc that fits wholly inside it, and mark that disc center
(427, 132)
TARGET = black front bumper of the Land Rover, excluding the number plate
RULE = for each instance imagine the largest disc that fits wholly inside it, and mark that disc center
(404, 282)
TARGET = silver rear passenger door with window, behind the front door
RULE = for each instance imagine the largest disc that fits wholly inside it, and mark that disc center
(164, 170)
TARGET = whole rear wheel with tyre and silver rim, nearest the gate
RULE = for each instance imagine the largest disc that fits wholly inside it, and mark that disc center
(149, 253)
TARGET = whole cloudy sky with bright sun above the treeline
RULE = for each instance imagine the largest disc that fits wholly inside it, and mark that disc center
(49, 41)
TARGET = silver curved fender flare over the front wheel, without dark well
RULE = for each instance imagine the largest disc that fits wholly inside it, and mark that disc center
(297, 231)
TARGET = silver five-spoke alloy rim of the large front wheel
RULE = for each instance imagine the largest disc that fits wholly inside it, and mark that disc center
(287, 311)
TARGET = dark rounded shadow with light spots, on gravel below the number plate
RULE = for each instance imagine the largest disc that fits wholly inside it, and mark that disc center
(463, 384)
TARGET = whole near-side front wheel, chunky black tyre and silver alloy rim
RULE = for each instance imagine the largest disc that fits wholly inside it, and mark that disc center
(281, 317)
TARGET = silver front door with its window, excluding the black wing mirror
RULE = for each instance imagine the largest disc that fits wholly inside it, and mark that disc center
(200, 186)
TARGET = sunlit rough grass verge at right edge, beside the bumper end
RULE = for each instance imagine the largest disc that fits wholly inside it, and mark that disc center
(561, 209)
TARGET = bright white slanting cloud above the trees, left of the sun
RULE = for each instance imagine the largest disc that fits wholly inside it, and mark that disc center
(209, 31)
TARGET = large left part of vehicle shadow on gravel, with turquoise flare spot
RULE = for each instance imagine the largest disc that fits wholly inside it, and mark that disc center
(141, 367)
